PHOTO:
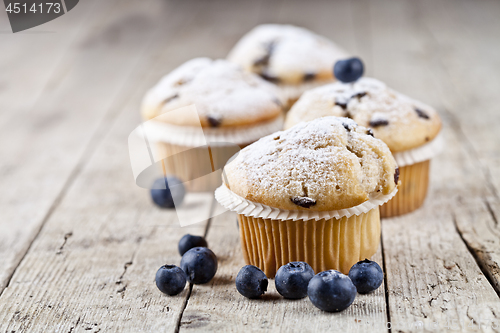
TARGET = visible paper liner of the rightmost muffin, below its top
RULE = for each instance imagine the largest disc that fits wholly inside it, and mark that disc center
(414, 167)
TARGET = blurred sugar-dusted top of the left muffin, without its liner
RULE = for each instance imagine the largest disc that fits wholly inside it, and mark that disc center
(224, 95)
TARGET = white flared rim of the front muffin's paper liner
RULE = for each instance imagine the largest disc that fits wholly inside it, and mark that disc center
(230, 200)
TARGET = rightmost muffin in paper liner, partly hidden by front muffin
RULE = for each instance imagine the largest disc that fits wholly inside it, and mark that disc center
(408, 127)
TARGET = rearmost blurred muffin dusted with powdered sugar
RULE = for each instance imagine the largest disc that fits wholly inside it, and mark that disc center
(293, 58)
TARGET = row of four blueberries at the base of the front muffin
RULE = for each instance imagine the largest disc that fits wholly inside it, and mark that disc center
(329, 290)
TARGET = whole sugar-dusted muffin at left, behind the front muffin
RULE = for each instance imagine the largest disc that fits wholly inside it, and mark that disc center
(201, 113)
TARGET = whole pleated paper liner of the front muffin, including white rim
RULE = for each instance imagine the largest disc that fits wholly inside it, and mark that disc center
(272, 237)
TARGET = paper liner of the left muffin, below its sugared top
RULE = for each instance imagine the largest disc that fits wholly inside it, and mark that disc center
(192, 154)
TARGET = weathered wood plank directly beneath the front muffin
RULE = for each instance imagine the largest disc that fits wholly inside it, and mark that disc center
(218, 305)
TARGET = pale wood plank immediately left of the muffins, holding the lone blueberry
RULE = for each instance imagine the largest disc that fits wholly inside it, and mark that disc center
(102, 265)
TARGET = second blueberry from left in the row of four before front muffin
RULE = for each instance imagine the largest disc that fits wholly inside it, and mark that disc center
(292, 279)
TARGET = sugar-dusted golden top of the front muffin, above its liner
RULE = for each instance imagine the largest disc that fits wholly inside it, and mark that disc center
(327, 164)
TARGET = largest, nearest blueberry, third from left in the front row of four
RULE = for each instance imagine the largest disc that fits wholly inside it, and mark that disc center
(331, 291)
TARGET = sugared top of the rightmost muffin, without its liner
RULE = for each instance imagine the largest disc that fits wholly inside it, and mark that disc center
(401, 122)
